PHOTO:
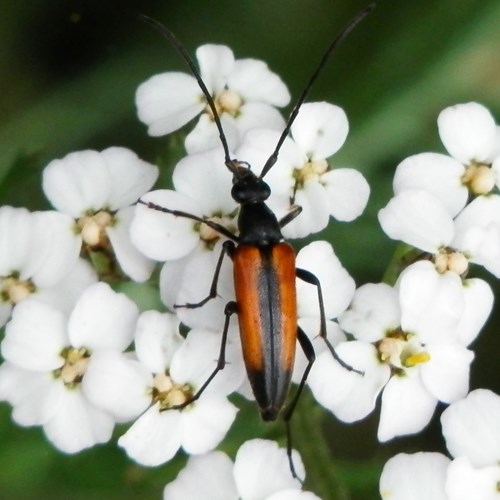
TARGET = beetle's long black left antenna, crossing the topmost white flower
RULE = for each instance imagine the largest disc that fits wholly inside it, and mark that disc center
(166, 33)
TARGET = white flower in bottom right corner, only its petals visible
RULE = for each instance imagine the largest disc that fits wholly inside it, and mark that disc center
(470, 427)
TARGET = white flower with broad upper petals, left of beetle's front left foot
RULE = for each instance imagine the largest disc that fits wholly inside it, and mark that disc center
(98, 189)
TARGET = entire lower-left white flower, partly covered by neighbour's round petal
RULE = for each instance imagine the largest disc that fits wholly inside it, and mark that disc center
(47, 355)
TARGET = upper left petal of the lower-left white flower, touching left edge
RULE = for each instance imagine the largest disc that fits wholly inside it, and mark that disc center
(35, 337)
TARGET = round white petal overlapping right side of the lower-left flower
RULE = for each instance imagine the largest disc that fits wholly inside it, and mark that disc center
(117, 384)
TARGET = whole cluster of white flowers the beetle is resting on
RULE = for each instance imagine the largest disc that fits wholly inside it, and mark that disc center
(81, 357)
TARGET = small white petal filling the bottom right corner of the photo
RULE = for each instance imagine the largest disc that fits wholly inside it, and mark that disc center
(465, 482)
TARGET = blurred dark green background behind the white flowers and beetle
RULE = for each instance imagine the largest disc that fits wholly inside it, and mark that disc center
(68, 73)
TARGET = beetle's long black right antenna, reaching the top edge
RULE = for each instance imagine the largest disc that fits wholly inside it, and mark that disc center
(295, 111)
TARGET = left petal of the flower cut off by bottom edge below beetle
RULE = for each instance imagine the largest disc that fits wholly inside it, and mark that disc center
(205, 477)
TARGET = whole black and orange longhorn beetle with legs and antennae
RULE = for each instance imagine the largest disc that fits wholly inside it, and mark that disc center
(264, 268)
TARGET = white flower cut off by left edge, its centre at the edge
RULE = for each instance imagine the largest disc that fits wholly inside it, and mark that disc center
(39, 259)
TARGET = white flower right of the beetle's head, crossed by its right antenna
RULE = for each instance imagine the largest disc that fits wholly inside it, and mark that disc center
(302, 172)
